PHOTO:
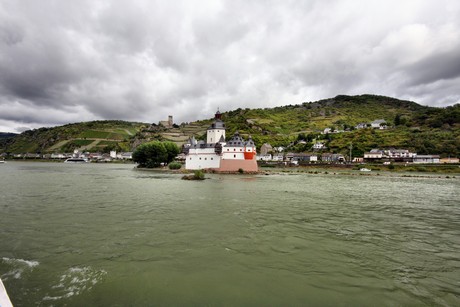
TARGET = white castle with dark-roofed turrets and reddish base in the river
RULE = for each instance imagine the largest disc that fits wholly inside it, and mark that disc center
(218, 154)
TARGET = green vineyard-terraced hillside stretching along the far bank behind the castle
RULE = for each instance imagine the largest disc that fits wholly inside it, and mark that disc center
(411, 126)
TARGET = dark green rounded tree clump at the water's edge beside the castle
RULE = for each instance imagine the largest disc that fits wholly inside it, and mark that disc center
(154, 153)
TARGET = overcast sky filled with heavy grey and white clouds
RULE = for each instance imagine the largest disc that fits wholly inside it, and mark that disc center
(142, 60)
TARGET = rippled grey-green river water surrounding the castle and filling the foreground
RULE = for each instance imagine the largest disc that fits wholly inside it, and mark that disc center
(111, 235)
